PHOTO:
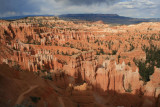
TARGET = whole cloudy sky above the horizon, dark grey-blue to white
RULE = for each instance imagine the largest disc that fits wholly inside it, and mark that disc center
(129, 8)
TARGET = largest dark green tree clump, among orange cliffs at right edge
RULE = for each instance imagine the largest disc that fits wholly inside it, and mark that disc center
(146, 68)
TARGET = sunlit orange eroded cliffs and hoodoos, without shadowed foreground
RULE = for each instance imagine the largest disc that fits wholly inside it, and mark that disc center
(96, 53)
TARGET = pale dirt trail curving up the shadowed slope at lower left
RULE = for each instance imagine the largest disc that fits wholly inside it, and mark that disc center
(21, 96)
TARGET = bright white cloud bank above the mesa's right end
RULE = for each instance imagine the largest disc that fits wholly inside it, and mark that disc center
(137, 8)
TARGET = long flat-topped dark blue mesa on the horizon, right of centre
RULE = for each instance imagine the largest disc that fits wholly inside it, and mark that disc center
(108, 18)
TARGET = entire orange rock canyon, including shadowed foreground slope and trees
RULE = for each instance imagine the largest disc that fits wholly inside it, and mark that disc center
(50, 62)
